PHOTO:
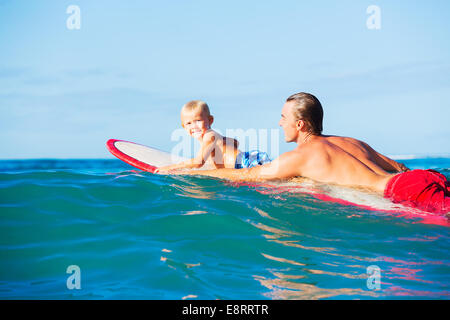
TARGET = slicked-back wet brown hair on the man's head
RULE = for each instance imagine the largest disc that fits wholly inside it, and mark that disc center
(309, 109)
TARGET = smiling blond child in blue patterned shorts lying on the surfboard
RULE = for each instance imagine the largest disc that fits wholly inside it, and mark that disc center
(215, 150)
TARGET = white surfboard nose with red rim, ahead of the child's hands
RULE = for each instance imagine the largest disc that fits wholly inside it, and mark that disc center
(140, 156)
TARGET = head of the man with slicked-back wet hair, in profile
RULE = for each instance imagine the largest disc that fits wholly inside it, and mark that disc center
(302, 113)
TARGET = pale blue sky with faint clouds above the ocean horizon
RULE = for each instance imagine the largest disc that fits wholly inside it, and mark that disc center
(131, 66)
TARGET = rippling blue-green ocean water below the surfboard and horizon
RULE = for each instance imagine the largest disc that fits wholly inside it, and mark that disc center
(134, 235)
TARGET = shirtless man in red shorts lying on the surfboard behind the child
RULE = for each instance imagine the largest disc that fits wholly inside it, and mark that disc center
(341, 160)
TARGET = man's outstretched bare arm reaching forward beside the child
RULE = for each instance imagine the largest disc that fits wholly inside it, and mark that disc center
(284, 167)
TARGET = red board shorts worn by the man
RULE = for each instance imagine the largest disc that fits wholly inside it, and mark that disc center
(427, 190)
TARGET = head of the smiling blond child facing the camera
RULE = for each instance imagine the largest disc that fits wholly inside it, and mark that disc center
(196, 118)
